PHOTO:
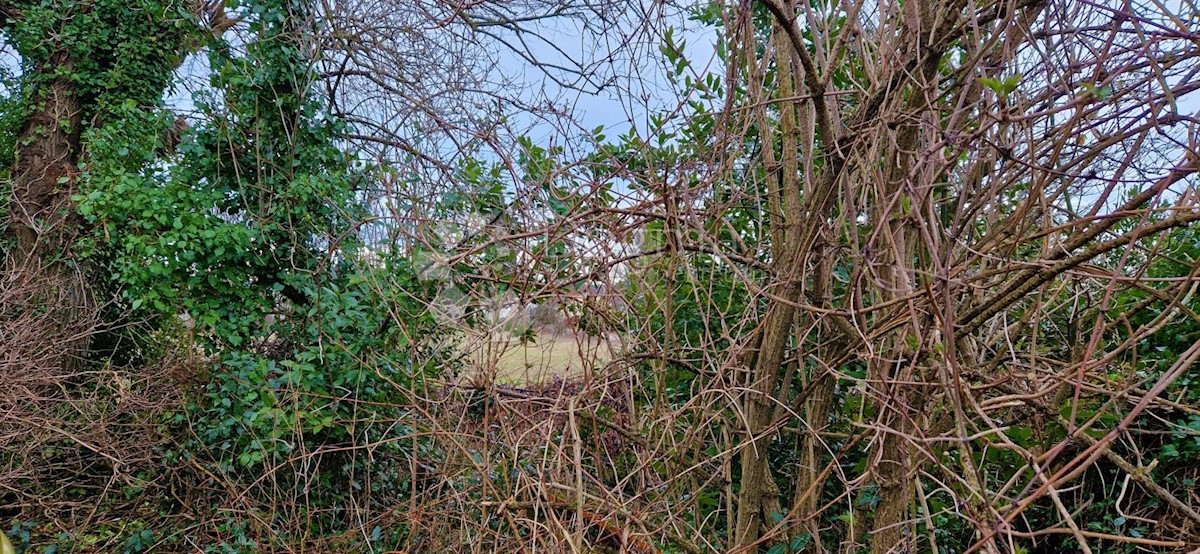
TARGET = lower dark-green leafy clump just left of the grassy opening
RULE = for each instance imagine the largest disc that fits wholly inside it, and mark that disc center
(334, 381)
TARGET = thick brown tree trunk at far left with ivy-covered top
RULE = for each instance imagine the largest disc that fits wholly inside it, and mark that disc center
(82, 64)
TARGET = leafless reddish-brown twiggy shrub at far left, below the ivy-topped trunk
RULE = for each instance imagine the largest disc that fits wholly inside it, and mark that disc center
(80, 435)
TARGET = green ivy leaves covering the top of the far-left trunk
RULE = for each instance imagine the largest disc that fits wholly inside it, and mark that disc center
(121, 55)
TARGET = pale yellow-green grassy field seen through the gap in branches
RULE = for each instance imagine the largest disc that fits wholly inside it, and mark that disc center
(549, 357)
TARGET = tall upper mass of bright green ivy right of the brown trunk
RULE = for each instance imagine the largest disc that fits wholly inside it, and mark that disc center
(247, 213)
